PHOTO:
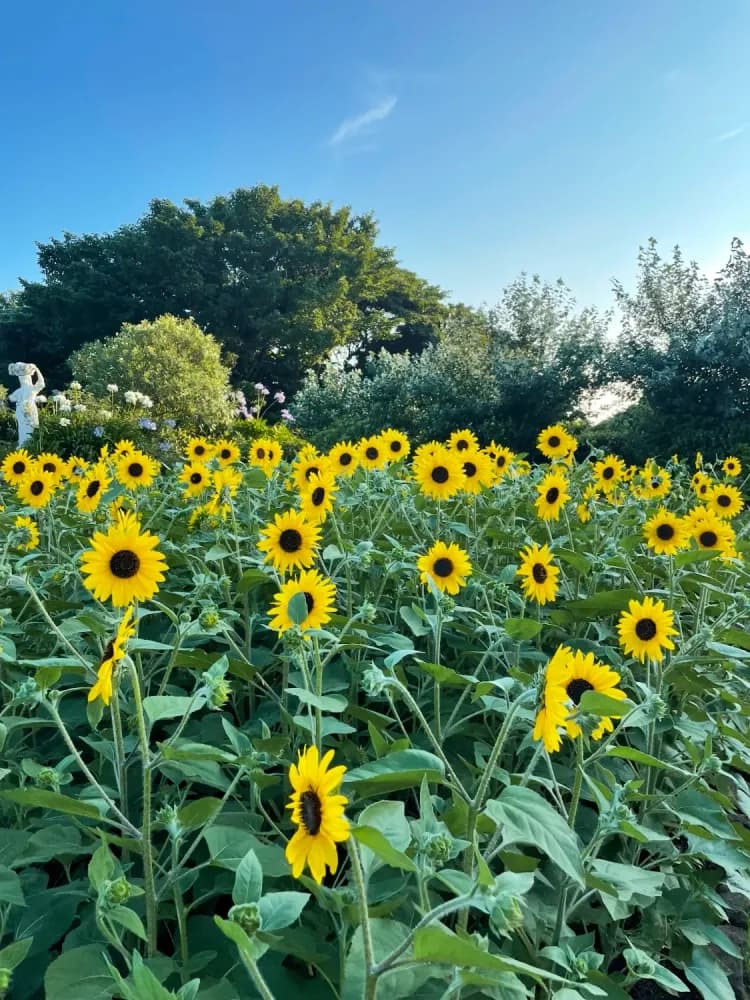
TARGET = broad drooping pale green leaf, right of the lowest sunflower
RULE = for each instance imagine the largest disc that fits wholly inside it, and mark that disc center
(527, 818)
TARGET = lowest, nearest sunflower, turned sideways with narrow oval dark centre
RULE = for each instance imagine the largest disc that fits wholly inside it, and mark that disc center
(318, 814)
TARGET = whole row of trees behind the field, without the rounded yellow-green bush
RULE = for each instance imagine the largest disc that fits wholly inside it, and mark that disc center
(301, 297)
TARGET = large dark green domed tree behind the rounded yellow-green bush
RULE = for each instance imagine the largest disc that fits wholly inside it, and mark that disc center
(278, 282)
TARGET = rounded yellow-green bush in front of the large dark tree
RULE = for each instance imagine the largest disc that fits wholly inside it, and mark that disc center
(171, 360)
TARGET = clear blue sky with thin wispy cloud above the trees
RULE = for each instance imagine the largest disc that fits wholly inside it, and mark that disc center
(488, 137)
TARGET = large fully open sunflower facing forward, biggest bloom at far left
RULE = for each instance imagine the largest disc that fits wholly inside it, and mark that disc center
(123, 564)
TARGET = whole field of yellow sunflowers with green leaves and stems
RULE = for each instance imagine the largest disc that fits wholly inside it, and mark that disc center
(374, 723)
